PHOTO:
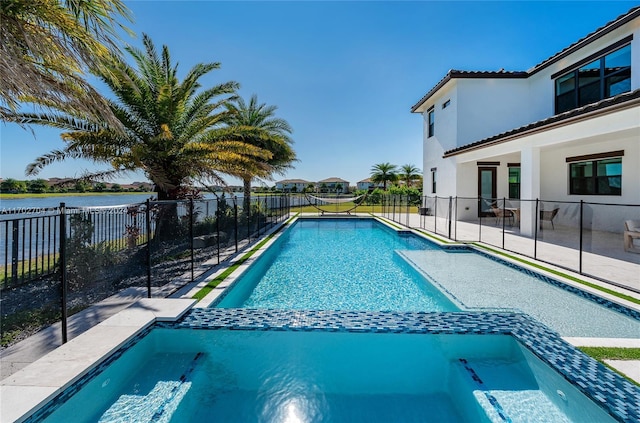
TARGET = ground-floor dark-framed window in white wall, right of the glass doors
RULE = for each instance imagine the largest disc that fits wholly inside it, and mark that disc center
(596, 177)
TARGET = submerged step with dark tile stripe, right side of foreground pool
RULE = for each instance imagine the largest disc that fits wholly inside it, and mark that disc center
(508, 393)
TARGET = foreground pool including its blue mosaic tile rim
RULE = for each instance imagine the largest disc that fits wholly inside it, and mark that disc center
(267, 365)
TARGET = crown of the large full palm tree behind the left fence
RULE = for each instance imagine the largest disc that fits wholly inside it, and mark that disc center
(172, 131)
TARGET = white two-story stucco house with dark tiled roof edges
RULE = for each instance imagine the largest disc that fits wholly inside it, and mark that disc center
(567, 129)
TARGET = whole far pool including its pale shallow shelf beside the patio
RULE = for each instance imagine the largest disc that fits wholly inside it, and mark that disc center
(361, 264)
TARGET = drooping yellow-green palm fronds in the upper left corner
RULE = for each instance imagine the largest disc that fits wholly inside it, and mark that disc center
(47, 45)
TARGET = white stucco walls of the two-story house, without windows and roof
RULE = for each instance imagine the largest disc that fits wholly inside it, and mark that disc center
(484, 107)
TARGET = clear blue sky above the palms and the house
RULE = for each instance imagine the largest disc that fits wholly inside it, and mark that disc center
(343, 74)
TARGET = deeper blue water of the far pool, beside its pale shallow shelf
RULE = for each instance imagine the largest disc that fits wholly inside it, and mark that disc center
(338, 264)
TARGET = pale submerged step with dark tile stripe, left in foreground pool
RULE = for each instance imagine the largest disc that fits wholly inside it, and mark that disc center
(158, 405)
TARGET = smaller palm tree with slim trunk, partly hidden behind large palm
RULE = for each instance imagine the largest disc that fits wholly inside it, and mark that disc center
(273, 136)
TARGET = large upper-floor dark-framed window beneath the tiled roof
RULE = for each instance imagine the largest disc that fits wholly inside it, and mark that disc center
(606, 76)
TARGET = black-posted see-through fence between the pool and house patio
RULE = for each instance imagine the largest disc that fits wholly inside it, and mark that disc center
(570, 235)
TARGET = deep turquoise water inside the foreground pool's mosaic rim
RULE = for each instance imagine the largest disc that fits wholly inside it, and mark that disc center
(255, 376)
